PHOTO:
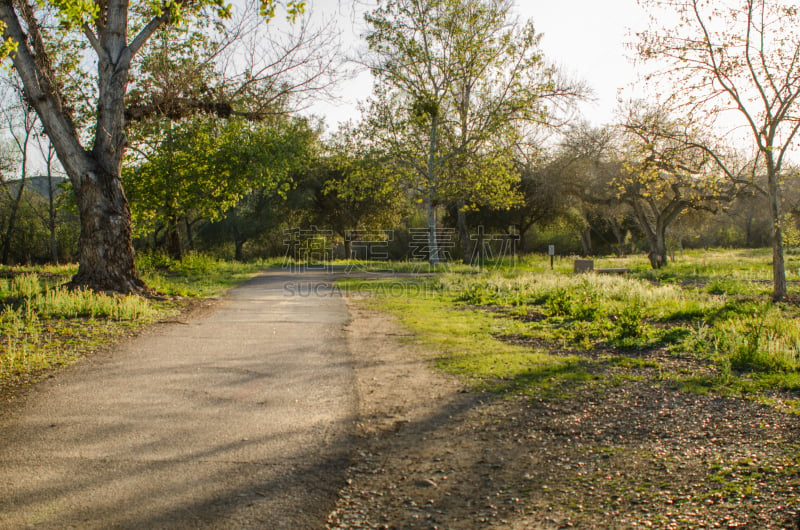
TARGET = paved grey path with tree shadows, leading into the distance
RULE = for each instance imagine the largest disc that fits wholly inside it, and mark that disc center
(240, 419)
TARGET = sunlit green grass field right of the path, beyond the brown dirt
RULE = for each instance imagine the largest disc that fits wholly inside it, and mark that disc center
(521, 327)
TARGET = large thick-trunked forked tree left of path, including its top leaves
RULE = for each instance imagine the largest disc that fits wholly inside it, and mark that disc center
(106, 259)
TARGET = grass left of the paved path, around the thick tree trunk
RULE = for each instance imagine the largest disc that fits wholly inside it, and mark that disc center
(43, 325)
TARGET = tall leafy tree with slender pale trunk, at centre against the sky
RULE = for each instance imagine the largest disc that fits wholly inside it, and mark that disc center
(452, 79)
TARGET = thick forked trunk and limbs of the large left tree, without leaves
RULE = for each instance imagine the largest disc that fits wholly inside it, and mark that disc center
(106, 258)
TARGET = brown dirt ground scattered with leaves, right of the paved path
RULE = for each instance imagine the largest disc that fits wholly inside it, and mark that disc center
(638, 454)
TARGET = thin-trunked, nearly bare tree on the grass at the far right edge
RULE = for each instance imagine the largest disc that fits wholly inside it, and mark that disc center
(742, 55)
